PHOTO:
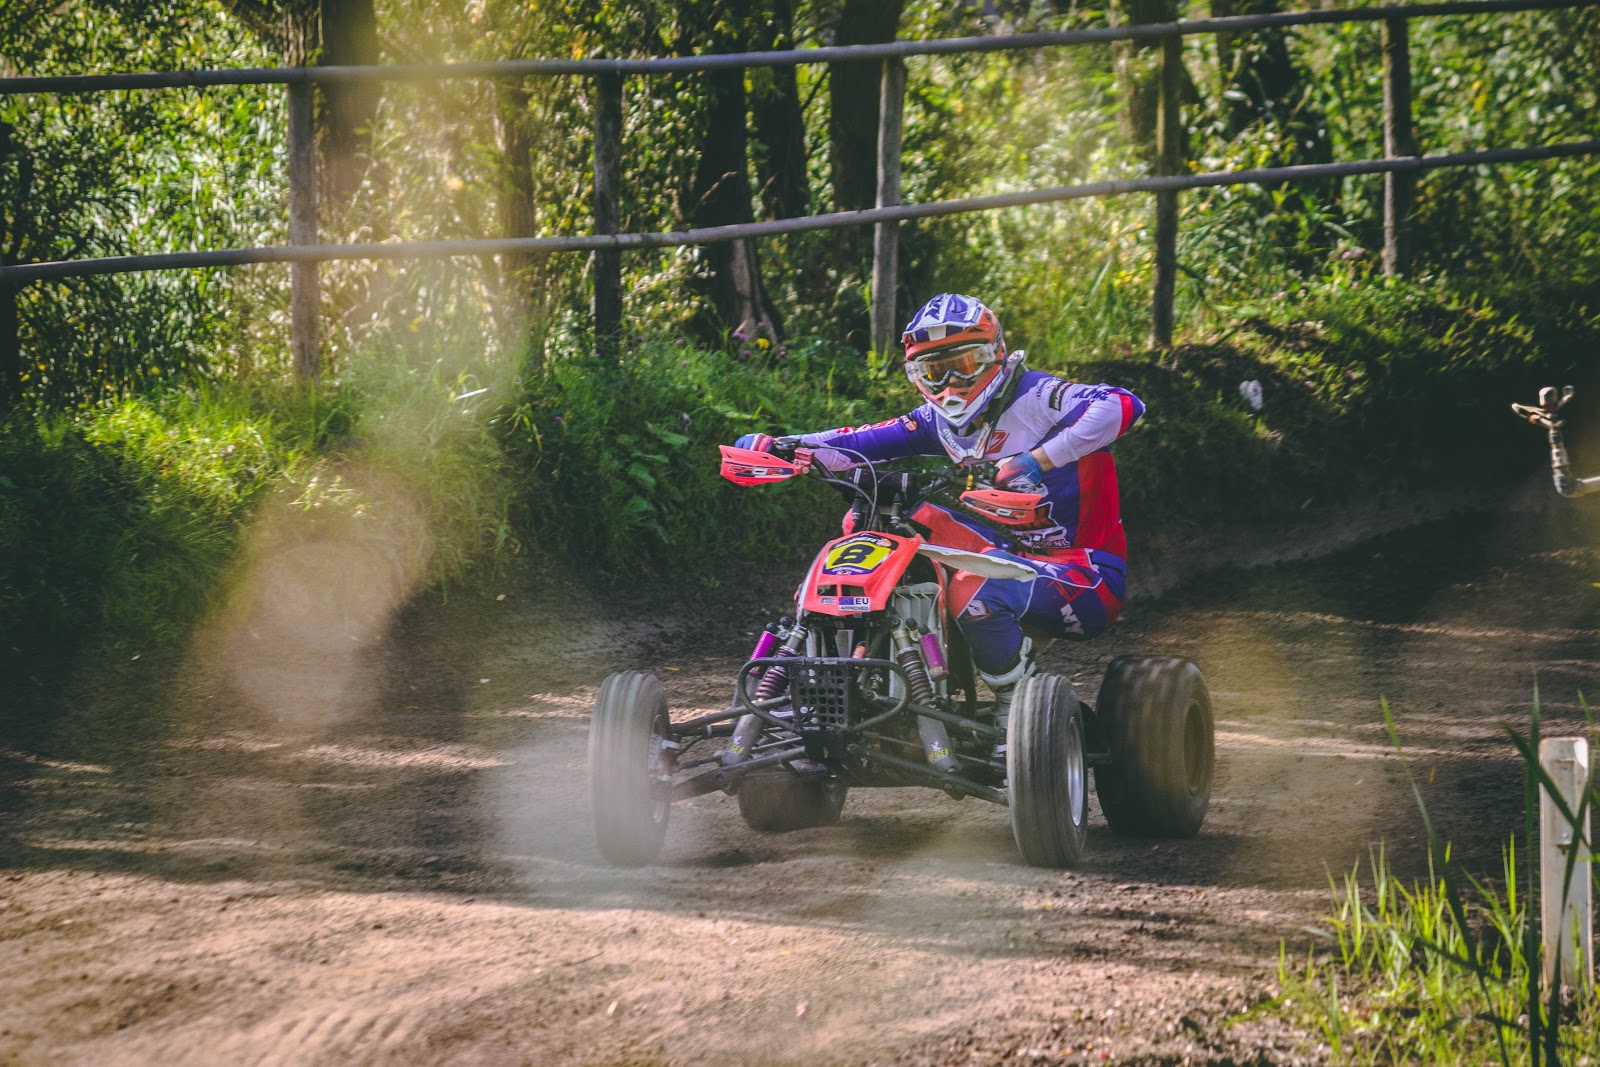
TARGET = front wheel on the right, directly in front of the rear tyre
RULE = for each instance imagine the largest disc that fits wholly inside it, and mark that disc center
(1047, 772)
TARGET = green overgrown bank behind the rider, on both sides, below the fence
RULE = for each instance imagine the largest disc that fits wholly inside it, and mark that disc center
(121, 521)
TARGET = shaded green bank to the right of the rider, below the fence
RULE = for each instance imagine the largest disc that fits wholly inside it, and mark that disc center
(1367, 386)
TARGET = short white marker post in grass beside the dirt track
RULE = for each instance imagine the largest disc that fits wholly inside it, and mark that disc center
(1567, 917)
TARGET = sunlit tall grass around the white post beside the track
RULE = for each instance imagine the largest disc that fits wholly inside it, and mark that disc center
(1447, 970)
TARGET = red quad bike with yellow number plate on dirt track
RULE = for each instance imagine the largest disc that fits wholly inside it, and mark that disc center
(871, 684)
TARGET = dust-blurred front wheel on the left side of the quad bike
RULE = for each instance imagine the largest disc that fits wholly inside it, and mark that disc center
(626, 764)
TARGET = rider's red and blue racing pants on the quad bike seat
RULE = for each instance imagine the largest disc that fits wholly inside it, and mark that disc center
(1078, 593)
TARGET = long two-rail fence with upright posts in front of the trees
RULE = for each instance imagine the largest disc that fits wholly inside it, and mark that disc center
(1401, 166)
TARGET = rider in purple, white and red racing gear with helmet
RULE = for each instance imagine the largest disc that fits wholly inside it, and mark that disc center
(1047, 436)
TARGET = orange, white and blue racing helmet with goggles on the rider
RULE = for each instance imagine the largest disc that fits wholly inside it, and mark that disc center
(956, 358)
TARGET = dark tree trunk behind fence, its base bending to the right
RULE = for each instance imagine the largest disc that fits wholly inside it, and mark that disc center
(721, 198)
